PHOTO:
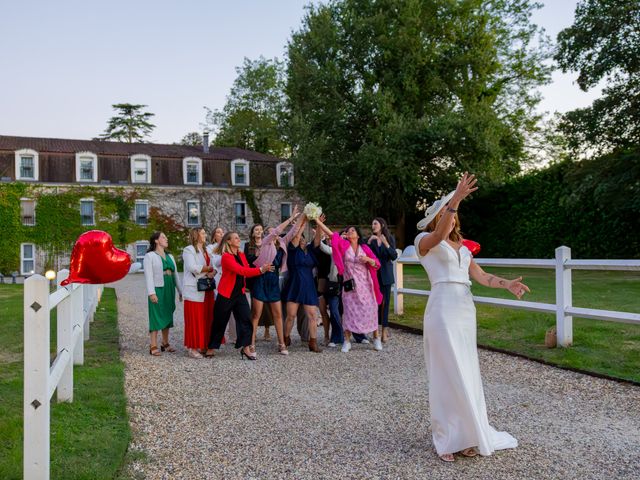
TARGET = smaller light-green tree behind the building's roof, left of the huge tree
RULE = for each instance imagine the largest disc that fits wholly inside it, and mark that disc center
(253, 115)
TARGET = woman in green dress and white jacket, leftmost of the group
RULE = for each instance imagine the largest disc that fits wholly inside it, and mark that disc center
(161, 278)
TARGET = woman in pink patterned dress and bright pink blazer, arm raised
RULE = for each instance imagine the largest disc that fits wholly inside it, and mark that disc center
(361, 293)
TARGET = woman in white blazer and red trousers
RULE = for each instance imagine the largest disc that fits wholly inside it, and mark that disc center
(198, 306)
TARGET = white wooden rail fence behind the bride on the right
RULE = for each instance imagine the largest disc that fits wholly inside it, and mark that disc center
(563, 309)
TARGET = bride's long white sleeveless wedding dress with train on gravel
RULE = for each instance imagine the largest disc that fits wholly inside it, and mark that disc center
(456, 398)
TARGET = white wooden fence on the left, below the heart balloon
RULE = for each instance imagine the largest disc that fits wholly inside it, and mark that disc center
(76, 305)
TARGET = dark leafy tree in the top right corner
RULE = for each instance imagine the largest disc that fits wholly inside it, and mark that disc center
(604, 44)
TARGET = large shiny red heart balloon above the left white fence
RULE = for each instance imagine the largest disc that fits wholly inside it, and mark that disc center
(94, 259)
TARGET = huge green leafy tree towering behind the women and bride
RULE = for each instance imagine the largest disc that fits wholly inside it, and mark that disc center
(390, 100)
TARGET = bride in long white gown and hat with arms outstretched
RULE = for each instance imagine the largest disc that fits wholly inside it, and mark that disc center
(459, 420)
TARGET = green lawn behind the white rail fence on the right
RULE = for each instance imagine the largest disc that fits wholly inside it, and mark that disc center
(598, 346)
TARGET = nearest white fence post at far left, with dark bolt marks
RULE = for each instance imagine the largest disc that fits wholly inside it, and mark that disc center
(36, 378)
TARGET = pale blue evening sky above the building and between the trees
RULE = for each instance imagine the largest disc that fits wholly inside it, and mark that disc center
(66, 61)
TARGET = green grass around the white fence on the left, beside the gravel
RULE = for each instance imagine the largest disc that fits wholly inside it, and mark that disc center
(89, 437)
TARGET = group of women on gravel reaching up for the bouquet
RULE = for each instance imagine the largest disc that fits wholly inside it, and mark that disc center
(344, 276)
